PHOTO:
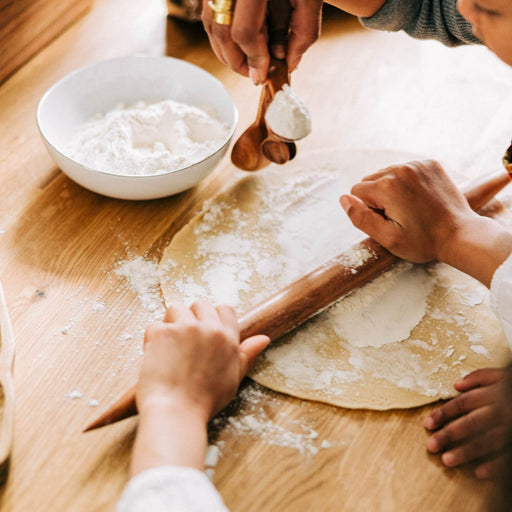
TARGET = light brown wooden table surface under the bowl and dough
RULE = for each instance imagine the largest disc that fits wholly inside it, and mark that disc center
(79, 328)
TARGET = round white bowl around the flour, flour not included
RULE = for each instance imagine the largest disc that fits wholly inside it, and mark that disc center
(102, 86)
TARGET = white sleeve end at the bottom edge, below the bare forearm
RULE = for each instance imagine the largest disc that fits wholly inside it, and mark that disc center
(170, 489)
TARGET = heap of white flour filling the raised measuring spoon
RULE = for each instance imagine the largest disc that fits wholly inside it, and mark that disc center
(287, 116)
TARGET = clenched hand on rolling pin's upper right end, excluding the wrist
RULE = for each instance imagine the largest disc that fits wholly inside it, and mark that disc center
(413, 210)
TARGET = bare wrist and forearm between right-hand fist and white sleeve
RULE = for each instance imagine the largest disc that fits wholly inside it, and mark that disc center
(478, 249)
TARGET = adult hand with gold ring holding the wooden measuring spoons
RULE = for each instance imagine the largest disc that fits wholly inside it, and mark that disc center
(283, 28)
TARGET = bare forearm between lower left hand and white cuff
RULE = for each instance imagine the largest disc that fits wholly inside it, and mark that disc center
(169, 434)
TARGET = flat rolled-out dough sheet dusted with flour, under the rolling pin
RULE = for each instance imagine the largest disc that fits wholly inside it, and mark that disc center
(371, 349)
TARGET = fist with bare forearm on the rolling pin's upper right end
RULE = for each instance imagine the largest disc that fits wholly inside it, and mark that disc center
(417, 213)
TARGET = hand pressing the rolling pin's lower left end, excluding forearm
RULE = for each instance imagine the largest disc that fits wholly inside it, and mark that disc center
(195, 358)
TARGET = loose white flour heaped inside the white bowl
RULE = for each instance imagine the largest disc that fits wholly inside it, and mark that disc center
(147, 138)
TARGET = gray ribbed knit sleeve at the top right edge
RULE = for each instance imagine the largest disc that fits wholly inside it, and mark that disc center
(424, 19)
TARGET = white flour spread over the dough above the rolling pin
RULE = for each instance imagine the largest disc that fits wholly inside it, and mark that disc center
(242, 255)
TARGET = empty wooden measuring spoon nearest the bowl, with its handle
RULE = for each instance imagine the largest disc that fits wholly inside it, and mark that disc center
(247, 153)
